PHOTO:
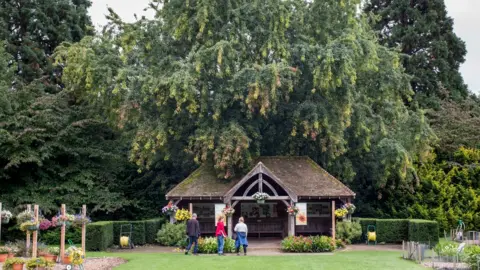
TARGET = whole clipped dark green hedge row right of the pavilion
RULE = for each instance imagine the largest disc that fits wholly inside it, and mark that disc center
(397, 230)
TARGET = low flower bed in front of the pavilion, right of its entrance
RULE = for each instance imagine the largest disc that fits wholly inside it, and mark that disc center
(308, 244)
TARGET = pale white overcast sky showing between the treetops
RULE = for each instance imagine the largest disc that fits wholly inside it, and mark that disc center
(464, 13)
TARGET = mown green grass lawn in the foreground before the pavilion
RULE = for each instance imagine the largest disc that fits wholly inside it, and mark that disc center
(368, 260)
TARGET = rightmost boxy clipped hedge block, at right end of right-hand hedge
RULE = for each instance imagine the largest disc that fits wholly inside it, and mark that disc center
(425, 231)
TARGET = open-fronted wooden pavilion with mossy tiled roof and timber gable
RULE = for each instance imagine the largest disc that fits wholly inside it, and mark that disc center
(288, 180)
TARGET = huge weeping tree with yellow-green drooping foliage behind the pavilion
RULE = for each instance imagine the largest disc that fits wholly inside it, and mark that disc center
(223, 82)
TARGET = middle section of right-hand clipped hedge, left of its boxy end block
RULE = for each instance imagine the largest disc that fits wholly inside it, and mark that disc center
(392, 230)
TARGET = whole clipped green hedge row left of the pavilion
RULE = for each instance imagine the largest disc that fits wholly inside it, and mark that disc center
(143, 232)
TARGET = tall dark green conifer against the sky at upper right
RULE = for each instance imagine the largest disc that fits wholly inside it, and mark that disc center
(424, 32)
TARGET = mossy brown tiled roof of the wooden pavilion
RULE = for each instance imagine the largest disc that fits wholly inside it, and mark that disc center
(300, 175)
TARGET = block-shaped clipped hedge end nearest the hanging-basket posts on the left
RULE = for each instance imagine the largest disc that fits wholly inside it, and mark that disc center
(99, 236)
